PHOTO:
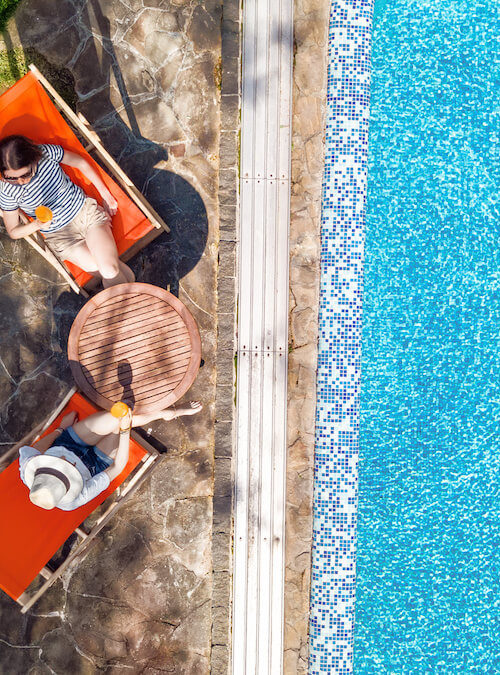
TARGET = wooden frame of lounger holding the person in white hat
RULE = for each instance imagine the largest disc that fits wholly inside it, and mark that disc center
(120, 495)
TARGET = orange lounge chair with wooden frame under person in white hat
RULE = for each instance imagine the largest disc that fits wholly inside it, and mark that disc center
(30, 536)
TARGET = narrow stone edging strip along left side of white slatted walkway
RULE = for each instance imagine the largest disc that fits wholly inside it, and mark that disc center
(222, 519)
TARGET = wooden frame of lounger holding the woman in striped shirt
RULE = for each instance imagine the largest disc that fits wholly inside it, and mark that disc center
(94, 143)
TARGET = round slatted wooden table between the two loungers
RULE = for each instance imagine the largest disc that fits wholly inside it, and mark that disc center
(134, 342)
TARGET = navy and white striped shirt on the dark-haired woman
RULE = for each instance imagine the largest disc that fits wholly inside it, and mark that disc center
(50, 187)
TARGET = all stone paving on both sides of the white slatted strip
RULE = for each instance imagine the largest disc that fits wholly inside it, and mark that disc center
(159, 80)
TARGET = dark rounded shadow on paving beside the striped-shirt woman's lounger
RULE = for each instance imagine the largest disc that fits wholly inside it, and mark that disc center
(172, 255)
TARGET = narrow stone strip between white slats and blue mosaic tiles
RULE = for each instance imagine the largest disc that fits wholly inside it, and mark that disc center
(308, 130)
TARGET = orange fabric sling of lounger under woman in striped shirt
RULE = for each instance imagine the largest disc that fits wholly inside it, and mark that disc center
(27, 109)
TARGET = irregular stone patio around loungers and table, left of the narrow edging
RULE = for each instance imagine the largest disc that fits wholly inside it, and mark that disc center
(147, 76)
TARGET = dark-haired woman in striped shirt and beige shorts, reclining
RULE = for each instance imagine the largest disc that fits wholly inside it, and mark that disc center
(80, 229)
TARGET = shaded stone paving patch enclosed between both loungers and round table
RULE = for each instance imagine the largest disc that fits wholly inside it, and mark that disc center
(33, 371)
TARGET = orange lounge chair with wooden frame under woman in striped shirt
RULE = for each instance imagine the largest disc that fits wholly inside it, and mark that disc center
(33, 108)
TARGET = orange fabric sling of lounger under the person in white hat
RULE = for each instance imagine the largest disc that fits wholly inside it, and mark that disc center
(30, 536)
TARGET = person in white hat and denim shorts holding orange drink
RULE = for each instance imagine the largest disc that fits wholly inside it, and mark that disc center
(76, 462)
